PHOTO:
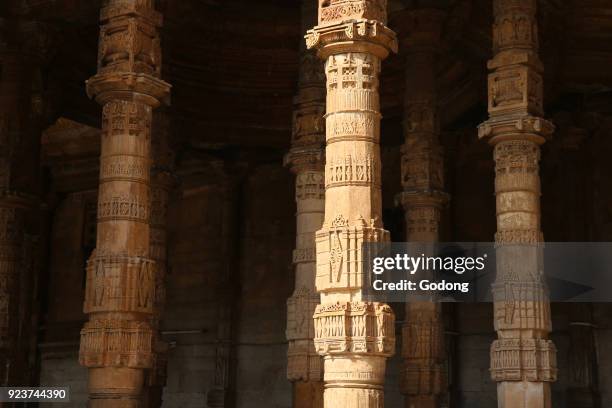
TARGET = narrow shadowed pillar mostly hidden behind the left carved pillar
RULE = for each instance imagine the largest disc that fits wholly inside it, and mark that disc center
(162, 182)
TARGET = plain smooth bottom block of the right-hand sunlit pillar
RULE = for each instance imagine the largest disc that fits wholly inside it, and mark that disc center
(523, 394)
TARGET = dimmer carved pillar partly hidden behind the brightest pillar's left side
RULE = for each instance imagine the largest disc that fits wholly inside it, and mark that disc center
(306, 160)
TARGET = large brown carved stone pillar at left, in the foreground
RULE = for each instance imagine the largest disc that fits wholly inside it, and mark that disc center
(117, 343)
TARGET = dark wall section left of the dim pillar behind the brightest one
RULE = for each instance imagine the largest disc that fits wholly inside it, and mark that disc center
(268, 235)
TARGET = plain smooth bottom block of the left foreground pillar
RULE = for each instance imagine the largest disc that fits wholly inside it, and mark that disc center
(115, 387)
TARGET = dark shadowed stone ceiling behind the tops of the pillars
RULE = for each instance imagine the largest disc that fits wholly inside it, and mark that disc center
(233, 63)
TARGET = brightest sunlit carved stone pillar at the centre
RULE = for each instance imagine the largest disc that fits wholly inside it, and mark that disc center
(354, 336)
